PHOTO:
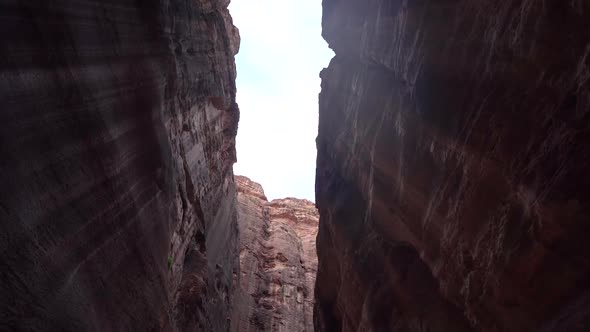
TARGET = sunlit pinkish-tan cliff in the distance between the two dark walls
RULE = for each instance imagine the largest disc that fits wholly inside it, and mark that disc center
(277, 262)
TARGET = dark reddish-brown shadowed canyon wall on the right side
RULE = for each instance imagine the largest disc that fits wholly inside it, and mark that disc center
(452, 171)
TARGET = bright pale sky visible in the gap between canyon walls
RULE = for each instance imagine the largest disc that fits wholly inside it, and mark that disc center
(281, 55)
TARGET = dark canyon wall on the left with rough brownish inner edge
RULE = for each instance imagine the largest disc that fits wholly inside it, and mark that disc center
(117, 208)
